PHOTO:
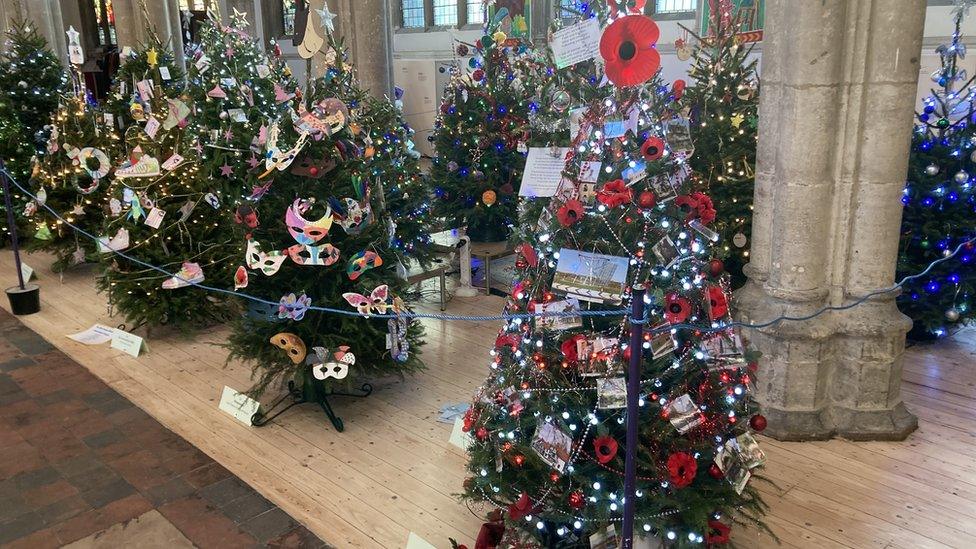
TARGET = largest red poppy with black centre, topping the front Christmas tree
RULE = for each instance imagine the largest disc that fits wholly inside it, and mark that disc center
(628, 51)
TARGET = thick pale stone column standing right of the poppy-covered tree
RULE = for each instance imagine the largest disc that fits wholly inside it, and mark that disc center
(839, 81)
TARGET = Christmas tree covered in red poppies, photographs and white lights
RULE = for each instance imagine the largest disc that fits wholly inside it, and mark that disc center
(547, 426)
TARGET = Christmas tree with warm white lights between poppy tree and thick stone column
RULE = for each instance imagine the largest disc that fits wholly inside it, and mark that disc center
(724, 102)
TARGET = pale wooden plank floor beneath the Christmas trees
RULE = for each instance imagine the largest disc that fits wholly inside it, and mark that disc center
(393, 471)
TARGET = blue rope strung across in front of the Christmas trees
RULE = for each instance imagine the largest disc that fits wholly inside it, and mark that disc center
(514, 316)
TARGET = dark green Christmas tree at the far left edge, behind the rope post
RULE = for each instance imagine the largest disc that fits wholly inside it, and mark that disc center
(32, 82)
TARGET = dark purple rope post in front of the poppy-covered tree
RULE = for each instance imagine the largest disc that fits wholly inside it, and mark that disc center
(633, 388)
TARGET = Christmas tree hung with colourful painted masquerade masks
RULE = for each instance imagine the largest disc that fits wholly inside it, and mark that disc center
(335, 214)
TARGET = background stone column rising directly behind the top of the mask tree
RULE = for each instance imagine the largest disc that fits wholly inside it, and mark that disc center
(366, 28)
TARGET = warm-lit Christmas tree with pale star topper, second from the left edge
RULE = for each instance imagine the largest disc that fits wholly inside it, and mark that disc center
(71, 179)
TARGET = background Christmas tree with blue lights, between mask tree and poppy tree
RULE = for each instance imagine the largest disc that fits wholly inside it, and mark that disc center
(482, 132)
